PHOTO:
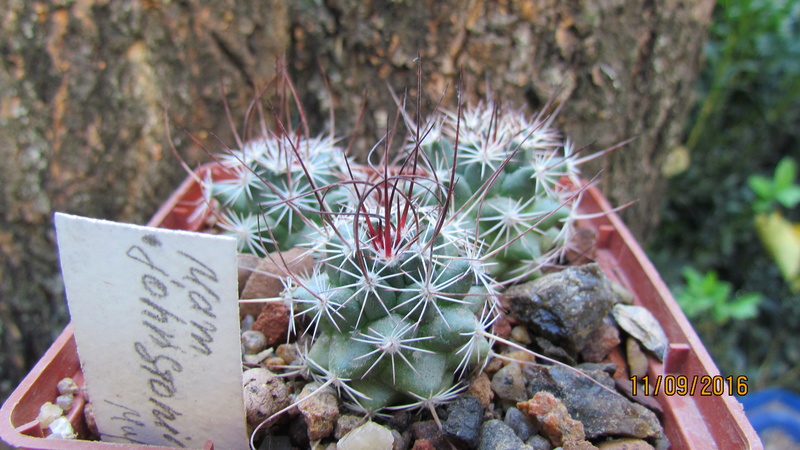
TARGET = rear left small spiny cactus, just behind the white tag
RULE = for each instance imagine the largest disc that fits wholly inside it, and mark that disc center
(265, 195)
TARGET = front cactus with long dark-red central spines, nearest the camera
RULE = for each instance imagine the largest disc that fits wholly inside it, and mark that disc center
(397, 301)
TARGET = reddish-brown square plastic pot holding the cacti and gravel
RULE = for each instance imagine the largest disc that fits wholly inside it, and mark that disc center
(699, 421)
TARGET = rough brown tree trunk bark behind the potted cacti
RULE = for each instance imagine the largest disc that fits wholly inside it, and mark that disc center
(90, 88)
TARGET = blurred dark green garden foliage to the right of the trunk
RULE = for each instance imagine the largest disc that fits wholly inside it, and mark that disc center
(728, 244)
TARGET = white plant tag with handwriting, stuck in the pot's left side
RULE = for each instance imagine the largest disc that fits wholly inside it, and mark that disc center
(156, 322)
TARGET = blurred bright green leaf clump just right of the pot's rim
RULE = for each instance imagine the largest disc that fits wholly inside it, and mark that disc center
(705, 297)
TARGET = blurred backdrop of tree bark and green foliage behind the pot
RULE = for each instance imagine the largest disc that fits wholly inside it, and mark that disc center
(93, 95)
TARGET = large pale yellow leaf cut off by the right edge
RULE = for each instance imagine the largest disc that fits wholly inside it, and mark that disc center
(781, 239)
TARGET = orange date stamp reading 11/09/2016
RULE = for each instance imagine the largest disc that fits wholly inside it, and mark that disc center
(691, 385)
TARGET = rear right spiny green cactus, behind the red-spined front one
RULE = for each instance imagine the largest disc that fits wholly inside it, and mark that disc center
(510, 172)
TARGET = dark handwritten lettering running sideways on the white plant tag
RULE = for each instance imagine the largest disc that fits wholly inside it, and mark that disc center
(177, 315)
